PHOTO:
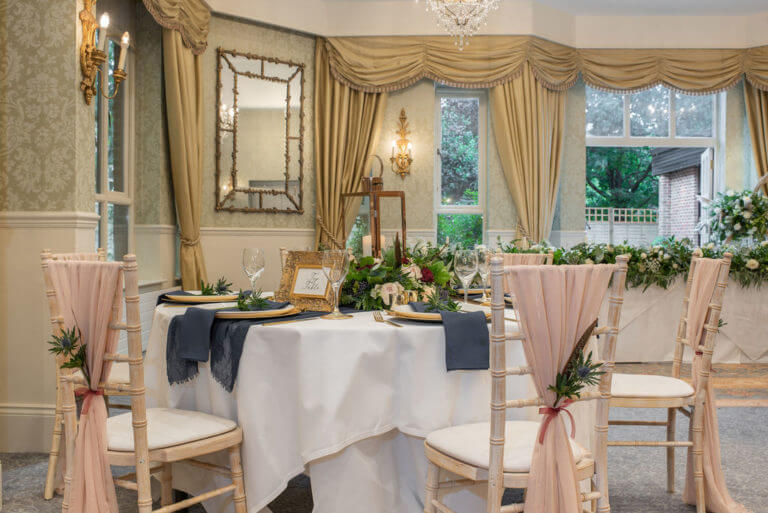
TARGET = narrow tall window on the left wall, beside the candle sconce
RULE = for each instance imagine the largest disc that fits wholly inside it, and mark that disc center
(114, 161)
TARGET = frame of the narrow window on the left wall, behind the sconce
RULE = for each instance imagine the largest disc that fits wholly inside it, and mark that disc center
(105, 197)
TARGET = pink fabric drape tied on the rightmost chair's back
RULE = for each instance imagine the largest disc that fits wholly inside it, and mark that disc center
(718, 500)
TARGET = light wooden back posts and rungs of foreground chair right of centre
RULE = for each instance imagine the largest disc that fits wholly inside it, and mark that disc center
(499, 373)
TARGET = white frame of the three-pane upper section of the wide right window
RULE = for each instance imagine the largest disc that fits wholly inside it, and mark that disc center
(672, 140)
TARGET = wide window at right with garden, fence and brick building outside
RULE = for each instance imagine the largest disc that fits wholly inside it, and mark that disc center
(649, 154)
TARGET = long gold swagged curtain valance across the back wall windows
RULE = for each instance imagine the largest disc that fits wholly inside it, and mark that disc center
(378, 64)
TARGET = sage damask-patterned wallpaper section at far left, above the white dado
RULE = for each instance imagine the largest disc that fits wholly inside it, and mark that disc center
(46, 154)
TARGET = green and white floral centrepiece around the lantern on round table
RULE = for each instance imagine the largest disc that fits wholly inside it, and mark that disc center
(374, 283)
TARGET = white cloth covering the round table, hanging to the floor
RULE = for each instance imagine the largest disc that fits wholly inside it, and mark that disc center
(349, 402)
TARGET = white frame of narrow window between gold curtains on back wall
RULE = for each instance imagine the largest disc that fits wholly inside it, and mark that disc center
(482, 116)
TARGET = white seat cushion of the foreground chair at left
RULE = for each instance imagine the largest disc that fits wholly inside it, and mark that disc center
(166, 427)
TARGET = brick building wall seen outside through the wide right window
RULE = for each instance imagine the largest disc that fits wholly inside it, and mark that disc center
(678, 208)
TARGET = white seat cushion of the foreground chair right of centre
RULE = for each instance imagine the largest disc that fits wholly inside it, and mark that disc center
(470, 443)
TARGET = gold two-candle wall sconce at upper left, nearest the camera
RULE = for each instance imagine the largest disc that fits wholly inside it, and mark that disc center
(92, 57)
